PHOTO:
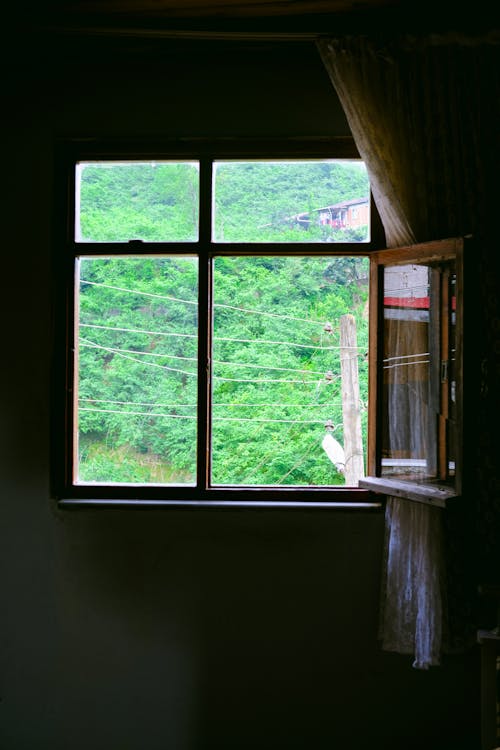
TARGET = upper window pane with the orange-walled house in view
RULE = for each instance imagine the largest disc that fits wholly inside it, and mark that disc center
(291, 201)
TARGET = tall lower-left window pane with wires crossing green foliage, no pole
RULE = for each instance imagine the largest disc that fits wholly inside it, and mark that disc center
(136, 370)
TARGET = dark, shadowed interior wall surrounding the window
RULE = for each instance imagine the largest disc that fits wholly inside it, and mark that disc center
(185, 630)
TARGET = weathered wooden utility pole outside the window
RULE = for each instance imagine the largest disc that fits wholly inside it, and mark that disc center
(353, 439)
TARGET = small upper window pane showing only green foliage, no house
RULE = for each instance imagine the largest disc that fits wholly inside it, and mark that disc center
(149, 201)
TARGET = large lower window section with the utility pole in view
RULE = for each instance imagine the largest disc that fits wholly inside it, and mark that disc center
(278, 414)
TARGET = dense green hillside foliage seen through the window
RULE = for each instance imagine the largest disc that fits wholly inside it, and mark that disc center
(275, 357)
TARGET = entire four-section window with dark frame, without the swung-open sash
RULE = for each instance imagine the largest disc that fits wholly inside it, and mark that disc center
(215, 325)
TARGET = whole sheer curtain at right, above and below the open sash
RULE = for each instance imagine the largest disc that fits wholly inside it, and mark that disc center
(423, 113)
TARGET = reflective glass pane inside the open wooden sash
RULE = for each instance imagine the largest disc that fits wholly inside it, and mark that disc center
(419, 389)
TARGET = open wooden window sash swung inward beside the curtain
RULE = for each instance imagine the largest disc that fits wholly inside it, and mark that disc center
(416, 372)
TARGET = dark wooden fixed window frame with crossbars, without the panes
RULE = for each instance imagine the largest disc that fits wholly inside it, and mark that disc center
(69, 152)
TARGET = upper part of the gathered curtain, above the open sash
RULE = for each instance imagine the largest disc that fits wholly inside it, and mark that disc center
(423, 112)
